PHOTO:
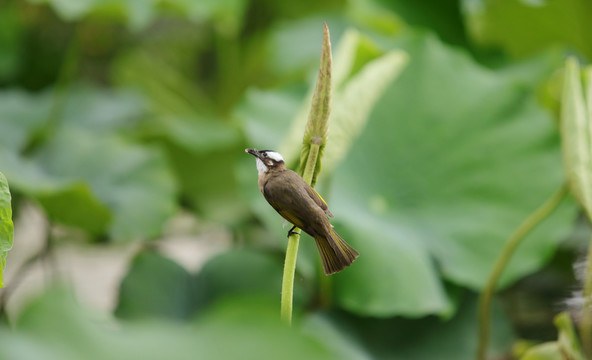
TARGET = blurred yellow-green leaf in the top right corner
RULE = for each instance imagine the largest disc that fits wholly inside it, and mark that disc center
(522, 27)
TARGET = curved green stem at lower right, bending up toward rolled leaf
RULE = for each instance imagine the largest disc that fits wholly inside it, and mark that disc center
(502, 261)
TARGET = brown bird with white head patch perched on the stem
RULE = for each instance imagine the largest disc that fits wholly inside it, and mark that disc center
(296, 201)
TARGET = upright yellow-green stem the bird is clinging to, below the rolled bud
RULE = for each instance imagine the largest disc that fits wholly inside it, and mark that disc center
(292, 250)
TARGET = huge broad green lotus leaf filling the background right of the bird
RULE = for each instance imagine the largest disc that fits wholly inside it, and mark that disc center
(453, 159)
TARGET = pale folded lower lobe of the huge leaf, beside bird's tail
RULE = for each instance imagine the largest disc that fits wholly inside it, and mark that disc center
(381, 283)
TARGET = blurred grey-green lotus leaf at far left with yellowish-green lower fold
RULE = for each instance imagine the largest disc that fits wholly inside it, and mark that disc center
(86, 175)
